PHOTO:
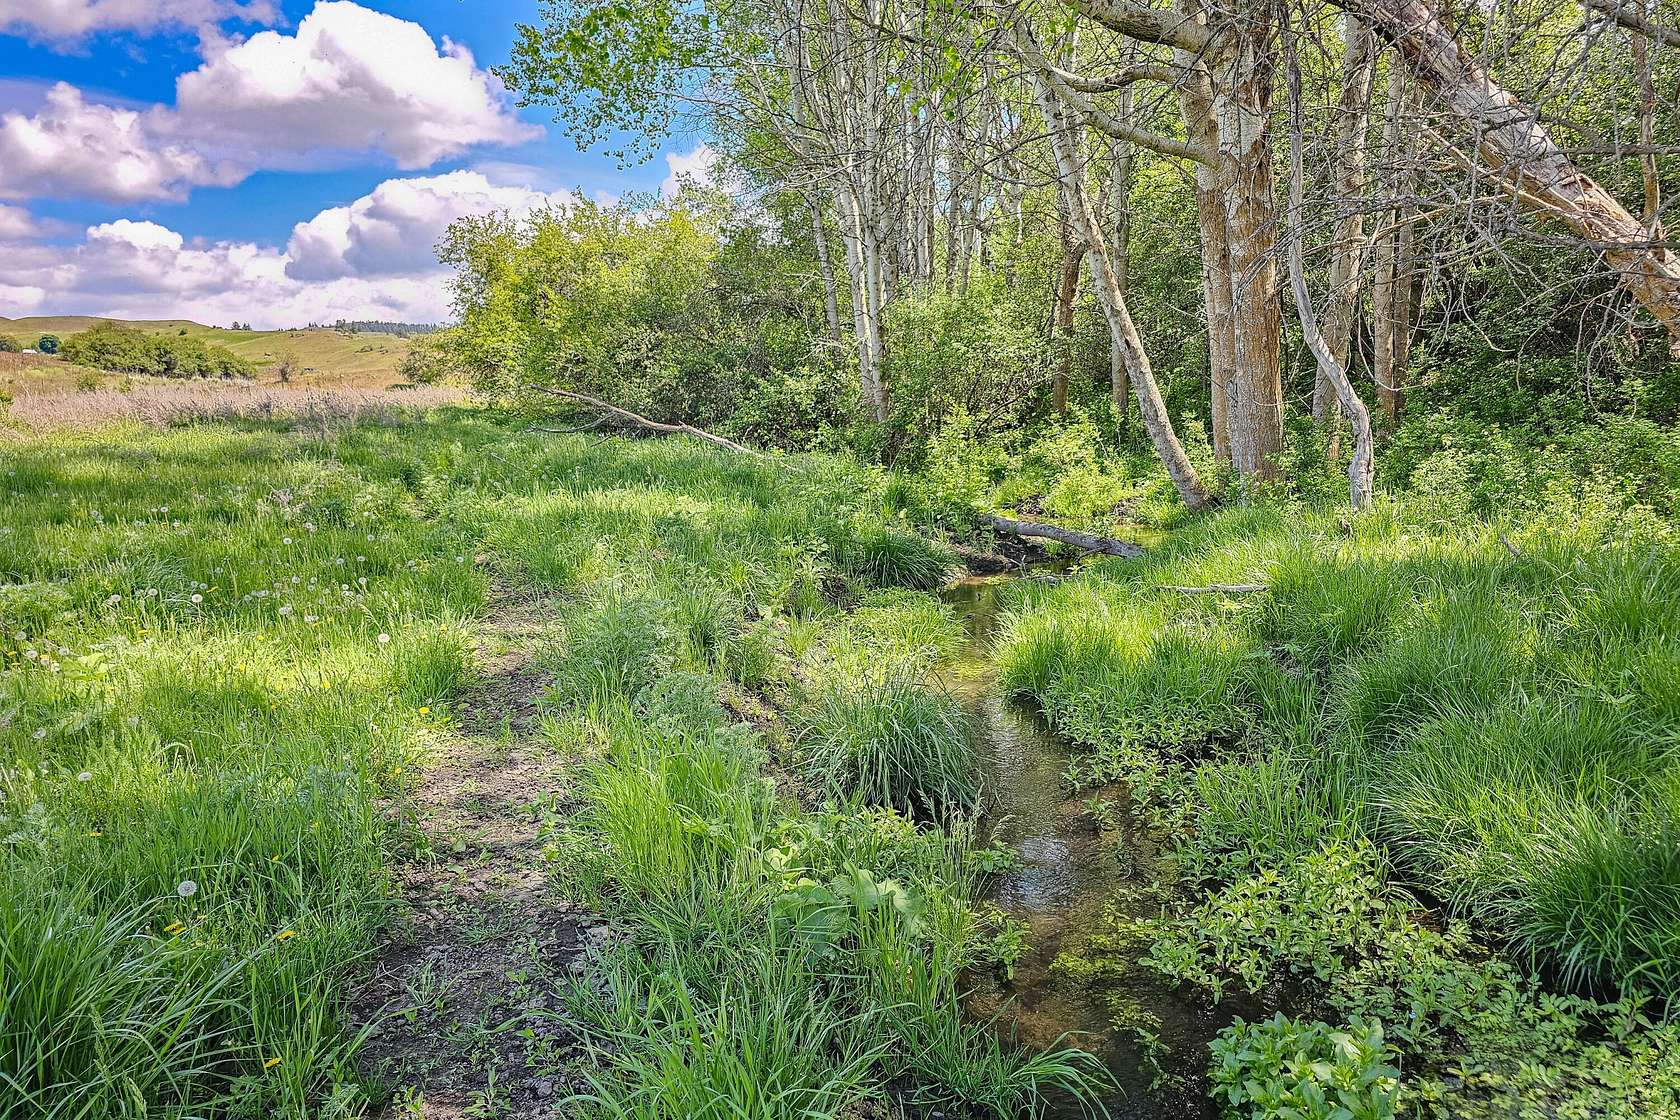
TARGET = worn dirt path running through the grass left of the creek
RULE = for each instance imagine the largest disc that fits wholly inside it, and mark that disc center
(465, 990)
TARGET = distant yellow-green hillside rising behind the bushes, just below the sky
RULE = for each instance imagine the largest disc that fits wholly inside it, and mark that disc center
(320, 357)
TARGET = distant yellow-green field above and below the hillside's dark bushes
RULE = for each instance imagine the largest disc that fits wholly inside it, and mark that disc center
(323, 359)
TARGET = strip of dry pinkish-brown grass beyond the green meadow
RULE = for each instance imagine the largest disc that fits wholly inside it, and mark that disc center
(165, 404)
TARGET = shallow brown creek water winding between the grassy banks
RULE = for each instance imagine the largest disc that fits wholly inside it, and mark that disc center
(1068, 872)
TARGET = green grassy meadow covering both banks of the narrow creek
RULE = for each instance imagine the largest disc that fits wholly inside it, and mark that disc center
(1412, 778)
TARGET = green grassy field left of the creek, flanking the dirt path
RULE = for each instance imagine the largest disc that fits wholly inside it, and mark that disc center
(231, 652)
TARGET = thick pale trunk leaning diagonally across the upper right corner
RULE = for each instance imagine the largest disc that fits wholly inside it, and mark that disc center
(1513, 145)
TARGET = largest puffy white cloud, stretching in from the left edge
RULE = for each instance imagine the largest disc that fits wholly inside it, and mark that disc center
(347, 83)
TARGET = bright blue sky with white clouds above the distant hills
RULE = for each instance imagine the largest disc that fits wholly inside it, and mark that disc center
(268, 162)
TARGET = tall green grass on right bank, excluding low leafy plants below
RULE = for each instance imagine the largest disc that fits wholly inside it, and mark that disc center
(1494, 704)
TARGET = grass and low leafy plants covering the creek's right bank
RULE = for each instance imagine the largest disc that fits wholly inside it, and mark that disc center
(1380, 728)
